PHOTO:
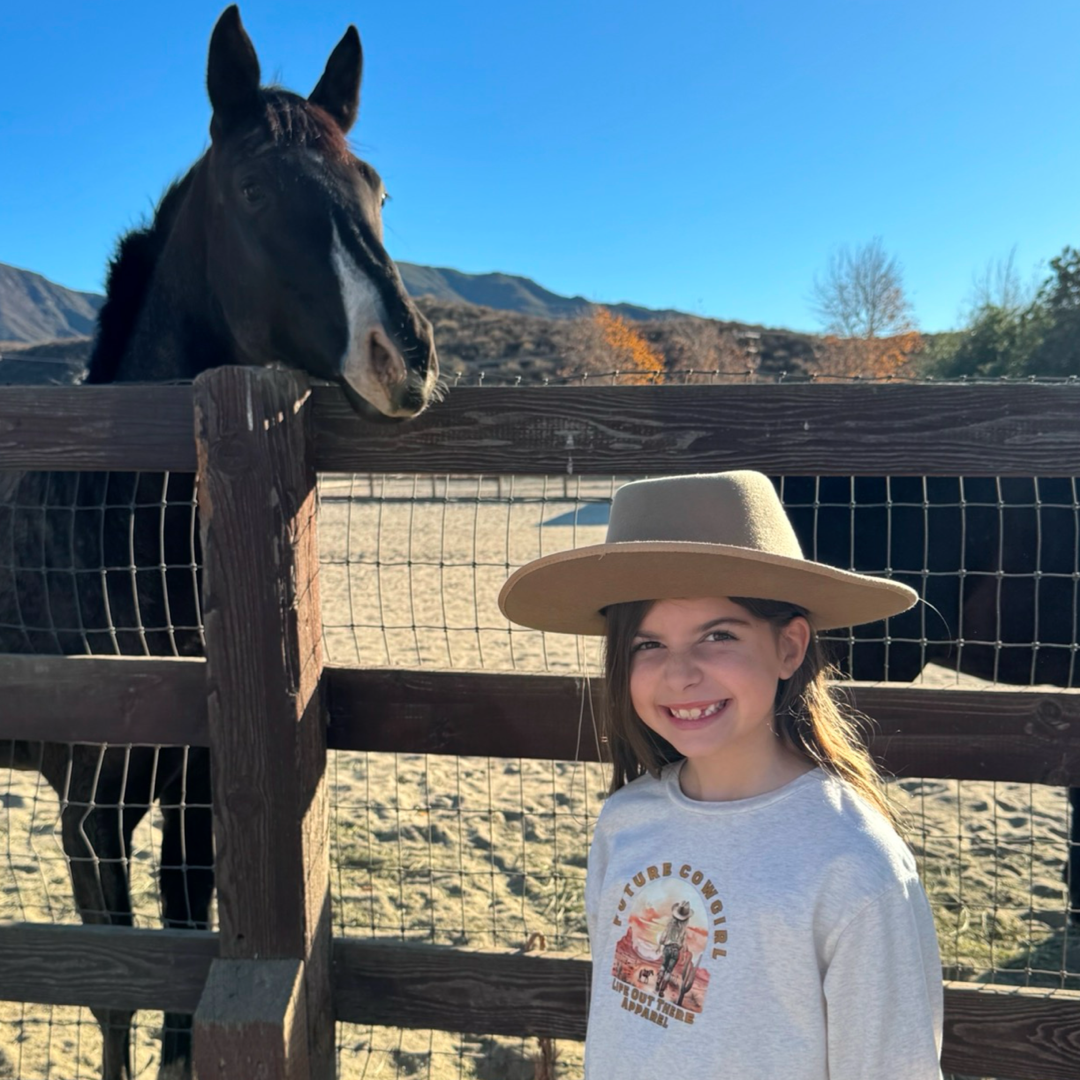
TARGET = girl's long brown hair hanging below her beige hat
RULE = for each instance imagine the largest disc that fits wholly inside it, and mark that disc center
(807, 715)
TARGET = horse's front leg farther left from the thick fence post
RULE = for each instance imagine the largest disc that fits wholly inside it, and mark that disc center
(97, 838)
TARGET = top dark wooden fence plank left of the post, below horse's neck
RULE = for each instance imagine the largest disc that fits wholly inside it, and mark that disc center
(87, 428)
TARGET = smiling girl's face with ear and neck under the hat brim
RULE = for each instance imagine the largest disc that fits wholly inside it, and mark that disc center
(704, 676)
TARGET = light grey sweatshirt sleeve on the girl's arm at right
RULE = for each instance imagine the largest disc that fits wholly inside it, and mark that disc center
(884, 992)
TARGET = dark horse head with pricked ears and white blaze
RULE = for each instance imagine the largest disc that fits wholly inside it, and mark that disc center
(294, 234)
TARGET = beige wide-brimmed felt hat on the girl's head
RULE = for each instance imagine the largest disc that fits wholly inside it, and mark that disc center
(707, 535)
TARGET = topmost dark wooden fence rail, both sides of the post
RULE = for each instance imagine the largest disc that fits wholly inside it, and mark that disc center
(934, 430)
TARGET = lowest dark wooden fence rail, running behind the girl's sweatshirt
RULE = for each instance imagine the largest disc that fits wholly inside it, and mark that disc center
(1015, 1032)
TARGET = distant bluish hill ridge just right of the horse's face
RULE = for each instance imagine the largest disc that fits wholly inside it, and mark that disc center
(509, 293)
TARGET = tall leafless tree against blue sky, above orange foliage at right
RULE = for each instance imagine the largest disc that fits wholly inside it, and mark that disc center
(861, 294)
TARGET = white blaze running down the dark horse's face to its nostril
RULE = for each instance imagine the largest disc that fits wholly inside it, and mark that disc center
(372, 366)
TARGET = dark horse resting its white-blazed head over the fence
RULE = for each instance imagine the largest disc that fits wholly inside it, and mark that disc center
(268, 252)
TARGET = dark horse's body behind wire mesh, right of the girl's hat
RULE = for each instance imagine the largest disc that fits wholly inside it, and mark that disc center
(996, 562)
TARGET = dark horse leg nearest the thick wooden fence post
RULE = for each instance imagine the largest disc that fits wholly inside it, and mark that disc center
(187, 883)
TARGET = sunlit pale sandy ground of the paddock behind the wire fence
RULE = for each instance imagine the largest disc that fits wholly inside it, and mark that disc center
(469, 852)
